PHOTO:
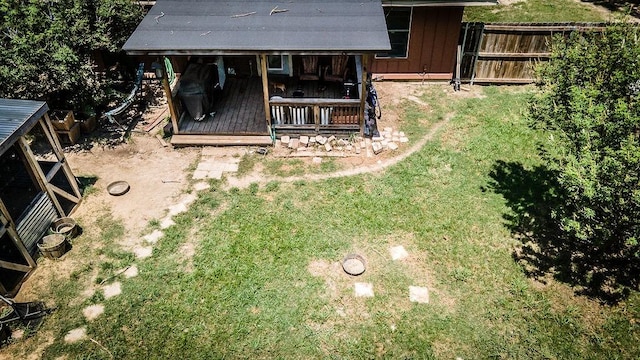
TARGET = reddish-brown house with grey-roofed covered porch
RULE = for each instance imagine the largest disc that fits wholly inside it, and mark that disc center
(250, 71)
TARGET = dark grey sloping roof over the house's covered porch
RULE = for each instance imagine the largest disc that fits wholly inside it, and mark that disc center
(193, 27)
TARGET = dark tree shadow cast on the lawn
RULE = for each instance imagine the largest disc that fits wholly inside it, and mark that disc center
(534, 197)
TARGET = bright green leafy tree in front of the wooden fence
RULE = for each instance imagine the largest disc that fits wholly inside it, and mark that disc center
(589, 107)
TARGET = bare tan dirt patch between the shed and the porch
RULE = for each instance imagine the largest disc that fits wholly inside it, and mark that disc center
(156, 175)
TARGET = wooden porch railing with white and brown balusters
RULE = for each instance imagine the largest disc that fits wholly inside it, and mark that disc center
(315, 114)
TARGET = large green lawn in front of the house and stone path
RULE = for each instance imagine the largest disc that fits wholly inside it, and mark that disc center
(262, 279)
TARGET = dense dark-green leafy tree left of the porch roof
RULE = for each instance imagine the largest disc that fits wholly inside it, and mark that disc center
(47, 47)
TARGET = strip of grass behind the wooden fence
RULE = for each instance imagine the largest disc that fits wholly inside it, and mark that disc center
(537, 11)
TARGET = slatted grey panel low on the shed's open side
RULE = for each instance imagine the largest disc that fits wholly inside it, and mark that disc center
(35, 223)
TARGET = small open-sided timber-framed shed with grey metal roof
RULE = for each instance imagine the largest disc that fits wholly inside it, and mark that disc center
(36, 186)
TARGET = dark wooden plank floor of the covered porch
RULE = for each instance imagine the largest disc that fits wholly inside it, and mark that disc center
(240, 111)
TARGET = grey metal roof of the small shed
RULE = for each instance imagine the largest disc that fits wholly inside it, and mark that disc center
(17, 118)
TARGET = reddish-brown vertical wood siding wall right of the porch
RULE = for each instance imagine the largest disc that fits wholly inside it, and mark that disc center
(432, 43)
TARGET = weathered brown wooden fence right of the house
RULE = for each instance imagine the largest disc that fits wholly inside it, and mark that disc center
(508, 53)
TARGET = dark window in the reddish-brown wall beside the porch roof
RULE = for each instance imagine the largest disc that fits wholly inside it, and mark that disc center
(398, 25)
